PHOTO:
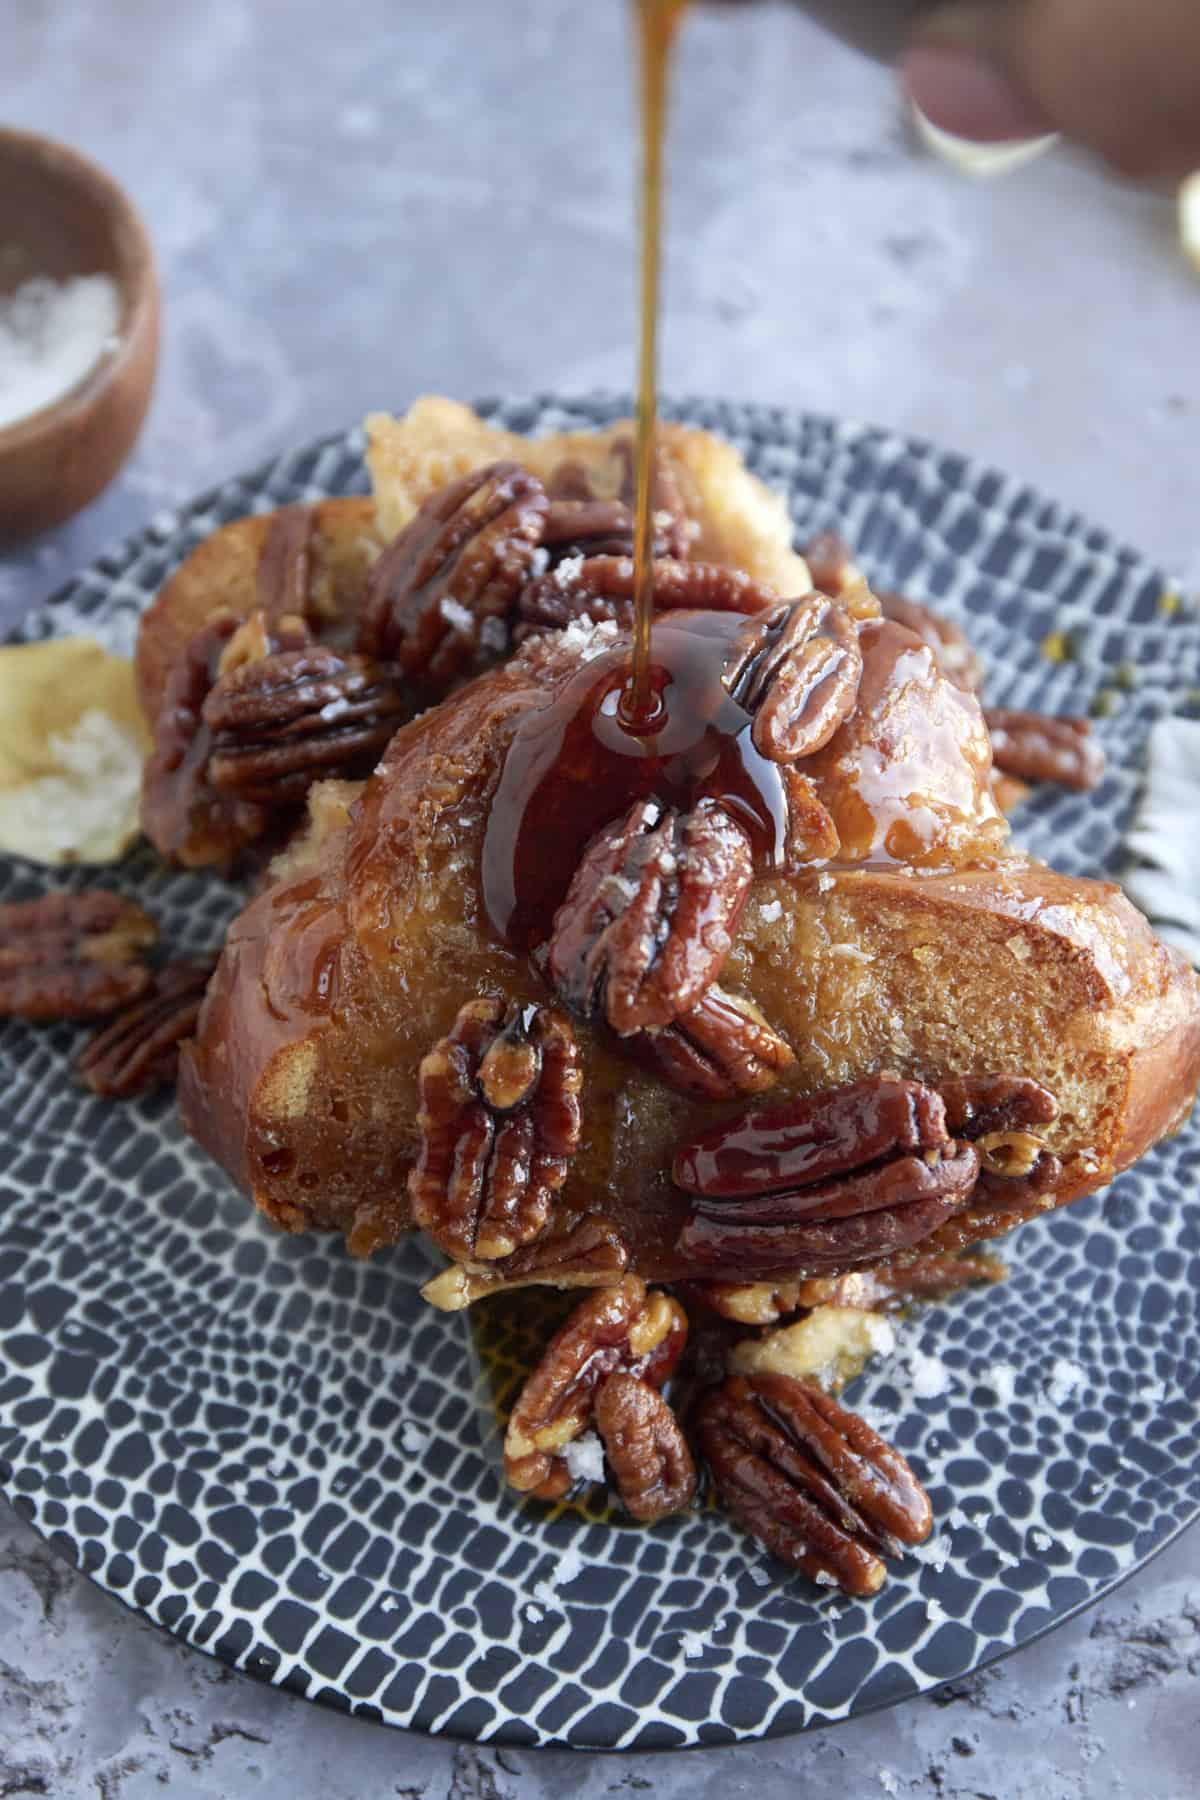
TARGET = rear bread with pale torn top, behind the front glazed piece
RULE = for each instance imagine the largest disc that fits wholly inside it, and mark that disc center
(715, 507)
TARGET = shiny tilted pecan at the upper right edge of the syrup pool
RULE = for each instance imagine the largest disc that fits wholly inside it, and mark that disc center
(798, 670)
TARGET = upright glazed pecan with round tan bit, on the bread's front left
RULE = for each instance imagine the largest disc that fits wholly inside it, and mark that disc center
(499, 1128)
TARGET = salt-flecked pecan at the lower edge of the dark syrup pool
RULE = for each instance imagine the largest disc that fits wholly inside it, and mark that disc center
(650, 915)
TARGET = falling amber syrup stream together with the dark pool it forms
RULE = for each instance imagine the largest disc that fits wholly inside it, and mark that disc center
(656, 721)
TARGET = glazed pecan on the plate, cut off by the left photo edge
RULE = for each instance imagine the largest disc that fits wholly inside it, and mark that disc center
(73, 957)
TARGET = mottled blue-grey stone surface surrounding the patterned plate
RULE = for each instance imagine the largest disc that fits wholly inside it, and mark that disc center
(357, 204)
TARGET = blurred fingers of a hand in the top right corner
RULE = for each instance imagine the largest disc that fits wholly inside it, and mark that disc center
(1118, 76)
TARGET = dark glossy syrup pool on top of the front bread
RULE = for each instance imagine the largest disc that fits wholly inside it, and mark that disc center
(575, 768)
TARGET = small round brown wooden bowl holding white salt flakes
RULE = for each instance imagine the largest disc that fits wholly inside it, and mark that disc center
(62, 217)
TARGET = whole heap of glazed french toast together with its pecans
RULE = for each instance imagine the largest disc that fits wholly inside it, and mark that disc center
(760, 1003)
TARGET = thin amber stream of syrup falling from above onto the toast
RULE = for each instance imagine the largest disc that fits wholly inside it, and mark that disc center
(656, 24)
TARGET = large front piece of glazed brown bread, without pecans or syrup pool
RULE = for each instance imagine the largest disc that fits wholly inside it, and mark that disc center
(926, 948)
